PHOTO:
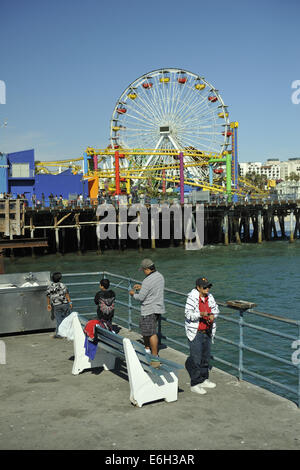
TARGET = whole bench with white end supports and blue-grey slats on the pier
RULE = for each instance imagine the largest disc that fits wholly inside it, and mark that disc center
(146, 382)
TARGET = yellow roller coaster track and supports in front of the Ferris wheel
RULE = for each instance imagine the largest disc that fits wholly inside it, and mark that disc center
(100, 164)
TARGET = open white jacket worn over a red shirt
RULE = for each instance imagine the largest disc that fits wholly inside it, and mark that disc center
(192, 313)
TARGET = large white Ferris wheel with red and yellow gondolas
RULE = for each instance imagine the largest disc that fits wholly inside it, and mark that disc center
(170, 109)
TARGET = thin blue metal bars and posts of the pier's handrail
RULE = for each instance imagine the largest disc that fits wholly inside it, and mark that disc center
(225, 316)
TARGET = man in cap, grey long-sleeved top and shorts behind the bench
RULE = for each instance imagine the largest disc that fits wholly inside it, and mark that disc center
(151, 296)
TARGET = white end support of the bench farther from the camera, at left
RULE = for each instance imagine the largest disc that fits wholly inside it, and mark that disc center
(81, 361)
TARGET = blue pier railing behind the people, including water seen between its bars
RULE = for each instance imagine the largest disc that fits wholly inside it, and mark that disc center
(252, 345)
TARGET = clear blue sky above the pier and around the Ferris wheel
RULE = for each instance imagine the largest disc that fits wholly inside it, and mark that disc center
(65, 64)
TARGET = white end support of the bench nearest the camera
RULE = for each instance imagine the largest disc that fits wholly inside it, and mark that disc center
(145, 387)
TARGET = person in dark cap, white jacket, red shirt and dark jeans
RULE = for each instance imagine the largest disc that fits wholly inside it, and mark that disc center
(201, 311)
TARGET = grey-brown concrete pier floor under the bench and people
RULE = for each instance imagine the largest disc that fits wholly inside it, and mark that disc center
(44, 407)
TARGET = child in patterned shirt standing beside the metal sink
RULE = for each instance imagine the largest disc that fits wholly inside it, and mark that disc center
(58, 300)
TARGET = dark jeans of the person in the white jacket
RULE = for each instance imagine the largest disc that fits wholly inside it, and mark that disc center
(197, 364)
